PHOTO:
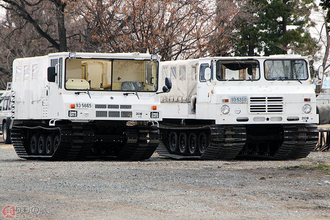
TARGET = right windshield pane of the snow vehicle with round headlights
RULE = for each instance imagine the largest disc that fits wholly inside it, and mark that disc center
(286, 70)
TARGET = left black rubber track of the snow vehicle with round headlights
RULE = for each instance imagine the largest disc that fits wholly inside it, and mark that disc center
(225, 144)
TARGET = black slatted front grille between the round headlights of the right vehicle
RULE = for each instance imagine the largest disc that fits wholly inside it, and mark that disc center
(266, 104)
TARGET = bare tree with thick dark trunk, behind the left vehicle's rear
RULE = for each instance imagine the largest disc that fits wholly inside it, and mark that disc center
(32, 27)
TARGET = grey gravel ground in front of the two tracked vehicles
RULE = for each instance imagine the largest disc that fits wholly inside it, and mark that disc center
(161, 188)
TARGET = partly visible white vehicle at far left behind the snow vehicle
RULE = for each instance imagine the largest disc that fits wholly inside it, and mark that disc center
(5, 113)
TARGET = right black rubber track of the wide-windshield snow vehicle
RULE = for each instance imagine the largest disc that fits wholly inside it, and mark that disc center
(141, 143)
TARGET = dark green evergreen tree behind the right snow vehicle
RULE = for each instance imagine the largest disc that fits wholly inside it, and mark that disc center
(282, 28)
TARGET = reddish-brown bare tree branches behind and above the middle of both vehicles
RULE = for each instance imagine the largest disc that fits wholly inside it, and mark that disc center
(172, 28)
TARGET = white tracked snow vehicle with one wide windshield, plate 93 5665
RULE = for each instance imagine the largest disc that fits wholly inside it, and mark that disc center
(70, 106)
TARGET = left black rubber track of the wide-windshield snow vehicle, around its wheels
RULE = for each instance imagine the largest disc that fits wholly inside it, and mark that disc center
(76, 143)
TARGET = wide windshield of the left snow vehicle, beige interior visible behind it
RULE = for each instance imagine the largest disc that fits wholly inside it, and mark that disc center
(114, 75)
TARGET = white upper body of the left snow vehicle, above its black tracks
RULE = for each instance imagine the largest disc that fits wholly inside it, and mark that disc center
(36, 98)
